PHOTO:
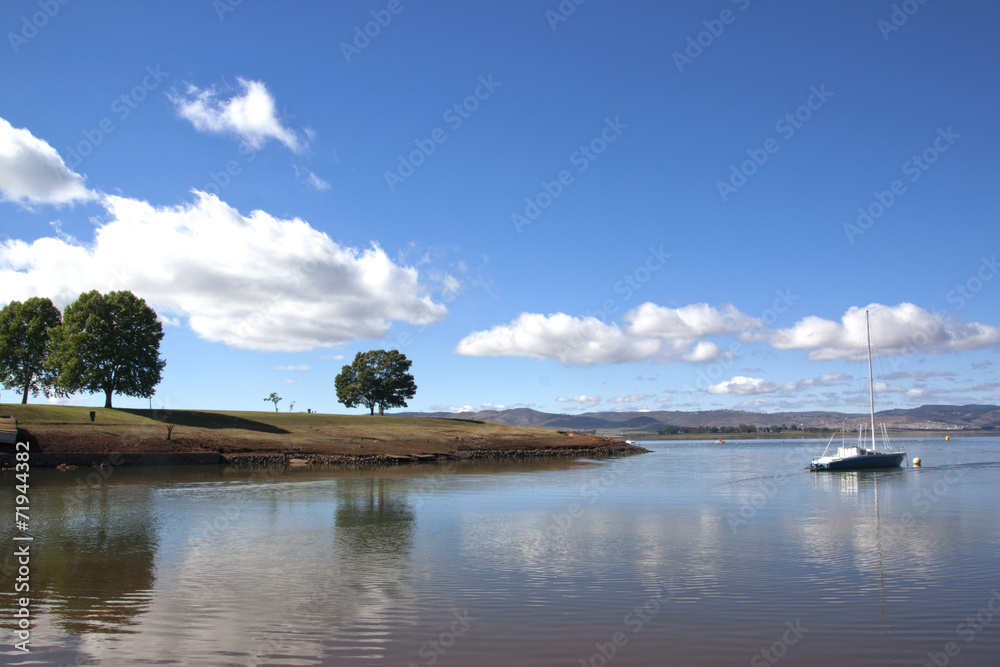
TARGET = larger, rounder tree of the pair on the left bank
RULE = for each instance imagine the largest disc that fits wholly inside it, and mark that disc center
(108, 343)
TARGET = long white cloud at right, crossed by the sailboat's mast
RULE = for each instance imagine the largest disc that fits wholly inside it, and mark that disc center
(895, 330)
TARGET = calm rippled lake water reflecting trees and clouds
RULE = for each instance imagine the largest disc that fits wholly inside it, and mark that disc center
(695, 554)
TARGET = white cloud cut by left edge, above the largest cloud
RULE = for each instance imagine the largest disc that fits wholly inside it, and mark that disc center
(31, 171)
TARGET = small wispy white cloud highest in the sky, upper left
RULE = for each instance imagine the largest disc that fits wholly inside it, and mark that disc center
(252, 115)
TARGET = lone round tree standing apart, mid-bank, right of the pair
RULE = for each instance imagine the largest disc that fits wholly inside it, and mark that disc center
(376, 378)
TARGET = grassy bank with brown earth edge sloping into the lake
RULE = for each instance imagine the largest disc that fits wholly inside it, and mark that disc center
(67, 429)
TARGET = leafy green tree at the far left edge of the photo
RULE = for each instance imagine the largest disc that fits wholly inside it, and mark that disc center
(24, 338)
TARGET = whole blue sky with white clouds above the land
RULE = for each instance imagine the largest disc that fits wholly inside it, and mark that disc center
(624, 206)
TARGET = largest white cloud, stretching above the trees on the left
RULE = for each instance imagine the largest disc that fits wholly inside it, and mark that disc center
(251, 282)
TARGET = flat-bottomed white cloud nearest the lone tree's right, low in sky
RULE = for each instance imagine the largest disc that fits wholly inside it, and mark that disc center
(569, 340)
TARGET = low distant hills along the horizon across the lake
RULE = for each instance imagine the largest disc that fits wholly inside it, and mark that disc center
(926, 417)
